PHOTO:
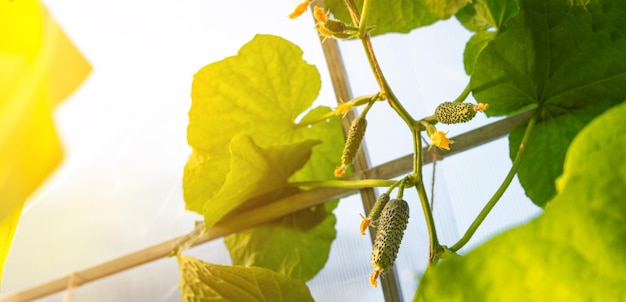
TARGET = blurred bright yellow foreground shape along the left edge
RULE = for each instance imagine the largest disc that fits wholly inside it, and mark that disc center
(39, 67)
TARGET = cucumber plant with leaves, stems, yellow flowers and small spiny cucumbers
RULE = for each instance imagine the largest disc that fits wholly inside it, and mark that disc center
(564, 59)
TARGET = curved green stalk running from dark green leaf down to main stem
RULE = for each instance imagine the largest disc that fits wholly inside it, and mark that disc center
(496, 196)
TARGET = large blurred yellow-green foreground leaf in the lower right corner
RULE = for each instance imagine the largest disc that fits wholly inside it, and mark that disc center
(572, 252)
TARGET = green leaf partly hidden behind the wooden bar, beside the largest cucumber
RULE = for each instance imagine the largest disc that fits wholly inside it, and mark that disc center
(296, 245)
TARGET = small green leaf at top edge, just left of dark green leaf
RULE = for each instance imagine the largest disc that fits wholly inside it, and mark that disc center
(480, 15)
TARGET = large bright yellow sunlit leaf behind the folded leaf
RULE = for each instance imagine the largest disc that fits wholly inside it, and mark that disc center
(258, 92)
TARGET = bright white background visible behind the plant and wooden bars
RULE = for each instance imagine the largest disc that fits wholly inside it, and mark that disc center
(124, 130)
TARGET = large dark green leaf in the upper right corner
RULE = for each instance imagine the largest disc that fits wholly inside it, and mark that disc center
(564, 58)
